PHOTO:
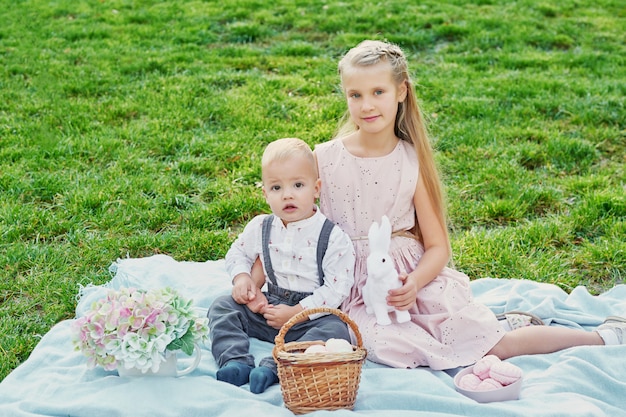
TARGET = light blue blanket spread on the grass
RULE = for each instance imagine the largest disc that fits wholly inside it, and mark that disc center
(583, 381)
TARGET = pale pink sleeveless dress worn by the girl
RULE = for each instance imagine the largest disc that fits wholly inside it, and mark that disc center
(447, 329)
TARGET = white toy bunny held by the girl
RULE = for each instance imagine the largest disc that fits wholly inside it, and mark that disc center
(381, 275)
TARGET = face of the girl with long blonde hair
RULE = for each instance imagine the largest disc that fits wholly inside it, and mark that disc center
(373, 97)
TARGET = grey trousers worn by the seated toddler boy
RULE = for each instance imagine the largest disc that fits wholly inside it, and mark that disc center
(231, 326)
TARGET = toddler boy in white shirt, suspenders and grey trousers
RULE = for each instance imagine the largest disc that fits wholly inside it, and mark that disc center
(298, 277)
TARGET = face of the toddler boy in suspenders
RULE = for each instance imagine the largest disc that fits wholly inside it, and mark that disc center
(290, 188)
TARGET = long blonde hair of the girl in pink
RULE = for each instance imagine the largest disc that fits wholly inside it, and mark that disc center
(409, 126)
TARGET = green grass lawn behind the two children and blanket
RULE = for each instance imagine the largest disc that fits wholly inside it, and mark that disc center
(135, 128)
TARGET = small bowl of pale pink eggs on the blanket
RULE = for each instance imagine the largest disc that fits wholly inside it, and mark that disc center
(490, 379)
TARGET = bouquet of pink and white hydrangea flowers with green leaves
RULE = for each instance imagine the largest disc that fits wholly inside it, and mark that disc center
(138, 329)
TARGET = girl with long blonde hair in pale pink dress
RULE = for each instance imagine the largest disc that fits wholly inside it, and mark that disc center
(381, 163)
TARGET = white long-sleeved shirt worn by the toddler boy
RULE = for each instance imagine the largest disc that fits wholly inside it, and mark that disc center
(293, 251)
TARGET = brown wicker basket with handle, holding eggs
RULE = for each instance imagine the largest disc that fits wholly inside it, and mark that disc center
(318, 381)
